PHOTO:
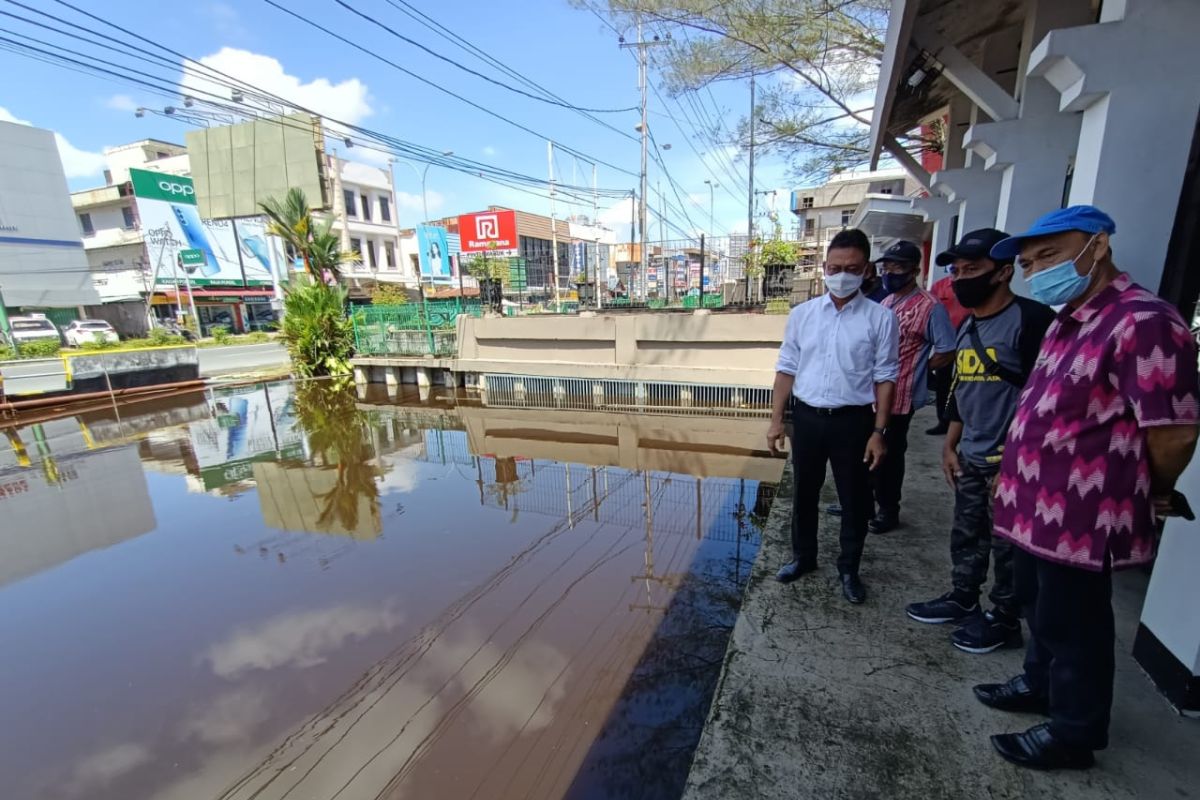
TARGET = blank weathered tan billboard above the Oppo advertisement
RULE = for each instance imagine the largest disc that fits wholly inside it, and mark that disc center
(239, 166)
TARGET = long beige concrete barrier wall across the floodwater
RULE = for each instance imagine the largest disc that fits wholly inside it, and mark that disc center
(733, 350)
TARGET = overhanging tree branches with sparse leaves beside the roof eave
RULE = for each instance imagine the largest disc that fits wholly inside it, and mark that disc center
(817, 63)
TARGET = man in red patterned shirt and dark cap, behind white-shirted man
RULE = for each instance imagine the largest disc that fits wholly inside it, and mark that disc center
(927, 340)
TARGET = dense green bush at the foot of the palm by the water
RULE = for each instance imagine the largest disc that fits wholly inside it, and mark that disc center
(319, 335)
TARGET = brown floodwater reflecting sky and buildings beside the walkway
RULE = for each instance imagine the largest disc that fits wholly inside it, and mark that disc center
(290, 592)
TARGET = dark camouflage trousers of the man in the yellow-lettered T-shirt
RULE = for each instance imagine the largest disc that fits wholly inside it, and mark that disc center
(971, 542)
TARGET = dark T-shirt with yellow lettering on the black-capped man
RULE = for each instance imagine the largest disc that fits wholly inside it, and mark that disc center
(986, 404)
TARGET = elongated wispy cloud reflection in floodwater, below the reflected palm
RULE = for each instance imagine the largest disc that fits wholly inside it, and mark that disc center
(298, 640)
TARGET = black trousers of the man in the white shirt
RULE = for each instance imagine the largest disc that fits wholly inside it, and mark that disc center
(841, 442)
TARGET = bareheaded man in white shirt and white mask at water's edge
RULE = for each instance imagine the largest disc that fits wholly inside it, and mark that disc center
(838, 369)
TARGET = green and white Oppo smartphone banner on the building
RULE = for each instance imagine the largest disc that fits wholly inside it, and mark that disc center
(236, 251)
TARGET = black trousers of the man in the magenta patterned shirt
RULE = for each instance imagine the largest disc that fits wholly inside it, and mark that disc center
(1070, 655)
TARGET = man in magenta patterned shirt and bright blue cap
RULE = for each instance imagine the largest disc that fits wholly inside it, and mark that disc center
(1105, 428)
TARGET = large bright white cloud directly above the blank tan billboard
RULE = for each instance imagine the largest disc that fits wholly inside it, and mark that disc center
(349, 101)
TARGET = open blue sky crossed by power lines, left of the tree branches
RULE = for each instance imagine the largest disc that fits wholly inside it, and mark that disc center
(566, 50)
